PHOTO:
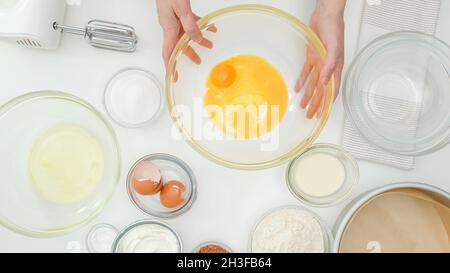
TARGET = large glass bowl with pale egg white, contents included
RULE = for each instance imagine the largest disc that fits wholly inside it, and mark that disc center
(60, 163)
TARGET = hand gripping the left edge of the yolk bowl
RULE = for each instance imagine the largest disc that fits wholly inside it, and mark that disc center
(176, 18)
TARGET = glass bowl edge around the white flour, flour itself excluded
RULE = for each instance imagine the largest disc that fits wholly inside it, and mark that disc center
(327, 235)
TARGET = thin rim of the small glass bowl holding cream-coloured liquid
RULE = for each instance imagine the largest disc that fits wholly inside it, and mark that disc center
(328, 146)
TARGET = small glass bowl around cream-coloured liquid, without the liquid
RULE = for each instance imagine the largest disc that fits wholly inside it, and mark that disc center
(350, 181)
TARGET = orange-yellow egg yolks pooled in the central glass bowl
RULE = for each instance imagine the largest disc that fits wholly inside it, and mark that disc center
(246, 96)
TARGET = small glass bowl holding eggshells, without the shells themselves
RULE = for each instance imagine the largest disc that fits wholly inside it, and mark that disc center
(171, 168)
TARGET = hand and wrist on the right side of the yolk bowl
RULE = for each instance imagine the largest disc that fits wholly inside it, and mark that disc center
(328, 23)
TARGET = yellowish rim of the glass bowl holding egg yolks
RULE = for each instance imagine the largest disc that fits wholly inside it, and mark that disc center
(313, 135)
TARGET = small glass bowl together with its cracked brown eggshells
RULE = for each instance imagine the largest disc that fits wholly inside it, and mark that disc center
(162, 185)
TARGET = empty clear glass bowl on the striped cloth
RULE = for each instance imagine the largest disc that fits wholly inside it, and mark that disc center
(397, 93)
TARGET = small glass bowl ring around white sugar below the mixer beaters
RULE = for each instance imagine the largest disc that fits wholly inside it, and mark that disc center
(108, 104)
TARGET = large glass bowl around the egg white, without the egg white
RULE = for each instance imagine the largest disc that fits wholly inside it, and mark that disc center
(22, 120)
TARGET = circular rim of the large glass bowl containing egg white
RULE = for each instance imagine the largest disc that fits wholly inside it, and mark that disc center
(37, 95)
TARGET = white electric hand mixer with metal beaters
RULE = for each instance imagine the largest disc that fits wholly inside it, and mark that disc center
(39, 24)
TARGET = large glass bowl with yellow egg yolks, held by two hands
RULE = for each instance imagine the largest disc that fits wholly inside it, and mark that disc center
(236, 103)
